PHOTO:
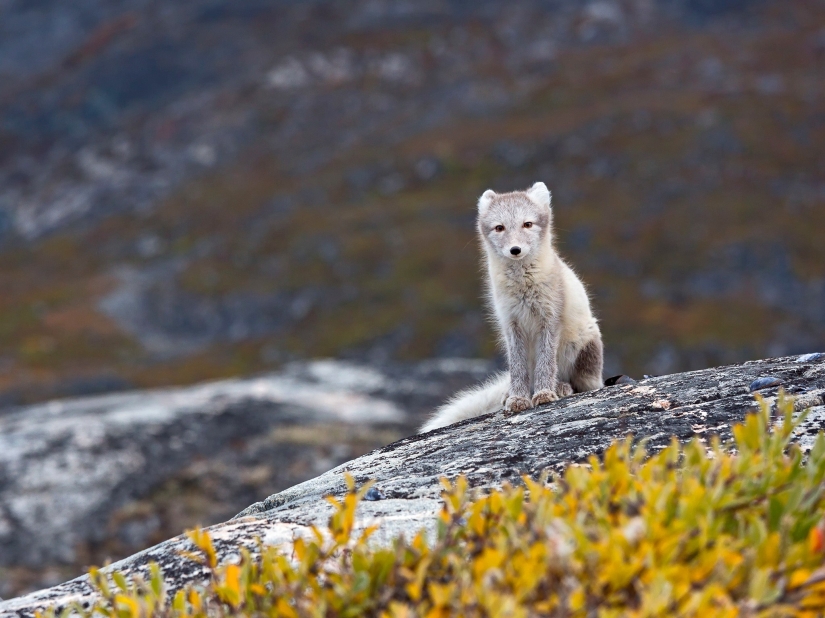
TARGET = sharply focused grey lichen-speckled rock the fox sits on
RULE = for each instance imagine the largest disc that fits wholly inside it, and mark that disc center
(489, 450)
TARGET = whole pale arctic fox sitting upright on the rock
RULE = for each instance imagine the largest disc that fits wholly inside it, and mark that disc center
(553, 342)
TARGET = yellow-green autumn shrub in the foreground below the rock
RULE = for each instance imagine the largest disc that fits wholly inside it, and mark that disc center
(699, 530)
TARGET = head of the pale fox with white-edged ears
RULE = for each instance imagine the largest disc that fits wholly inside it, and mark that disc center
(515, 226)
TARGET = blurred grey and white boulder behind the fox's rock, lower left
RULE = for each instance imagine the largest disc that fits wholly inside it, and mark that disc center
(92, 479)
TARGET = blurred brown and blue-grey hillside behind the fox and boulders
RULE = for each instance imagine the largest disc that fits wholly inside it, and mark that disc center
(192, 190)
